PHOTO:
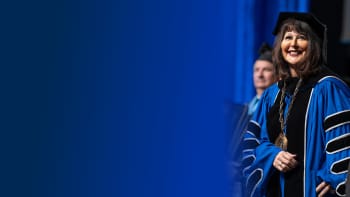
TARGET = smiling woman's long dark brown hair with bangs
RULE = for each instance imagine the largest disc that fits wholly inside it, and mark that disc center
(313, 58)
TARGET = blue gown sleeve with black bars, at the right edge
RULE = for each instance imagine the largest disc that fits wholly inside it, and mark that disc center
(333, 101)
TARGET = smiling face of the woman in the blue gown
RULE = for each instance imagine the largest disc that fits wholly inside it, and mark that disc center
(294, 46)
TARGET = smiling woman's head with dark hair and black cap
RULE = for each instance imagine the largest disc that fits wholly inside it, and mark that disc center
(301, 43)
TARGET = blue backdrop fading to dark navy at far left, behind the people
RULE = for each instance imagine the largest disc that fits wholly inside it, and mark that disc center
(124, 98)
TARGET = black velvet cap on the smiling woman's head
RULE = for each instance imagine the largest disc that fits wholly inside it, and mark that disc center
(319, 28)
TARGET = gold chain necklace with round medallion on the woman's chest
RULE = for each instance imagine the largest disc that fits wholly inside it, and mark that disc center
(282, 140)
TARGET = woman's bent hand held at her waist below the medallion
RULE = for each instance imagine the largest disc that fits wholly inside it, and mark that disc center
(285, 161)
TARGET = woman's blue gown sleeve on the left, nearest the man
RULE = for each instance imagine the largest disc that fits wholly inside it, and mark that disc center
(258, 152)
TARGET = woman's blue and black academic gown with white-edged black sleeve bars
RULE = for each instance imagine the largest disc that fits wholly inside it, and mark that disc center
(322, 142)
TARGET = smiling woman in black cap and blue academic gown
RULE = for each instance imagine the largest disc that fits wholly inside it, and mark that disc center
(298, 118)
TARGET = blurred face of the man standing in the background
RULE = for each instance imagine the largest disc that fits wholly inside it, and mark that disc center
(264, 74)
